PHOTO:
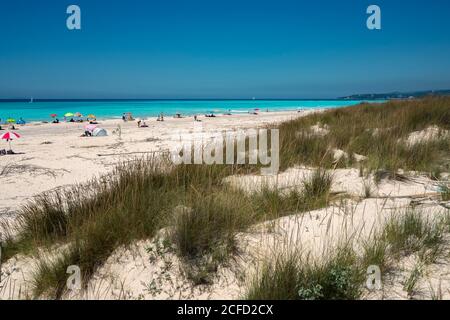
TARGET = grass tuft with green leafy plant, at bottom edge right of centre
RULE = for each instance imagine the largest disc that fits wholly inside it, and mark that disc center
(288, 276)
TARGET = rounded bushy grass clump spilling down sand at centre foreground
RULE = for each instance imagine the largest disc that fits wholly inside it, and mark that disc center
(204, 231)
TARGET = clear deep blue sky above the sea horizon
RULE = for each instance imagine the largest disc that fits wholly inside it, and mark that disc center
(221, 48)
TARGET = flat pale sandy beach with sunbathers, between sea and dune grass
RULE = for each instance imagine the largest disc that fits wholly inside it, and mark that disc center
(54, 155)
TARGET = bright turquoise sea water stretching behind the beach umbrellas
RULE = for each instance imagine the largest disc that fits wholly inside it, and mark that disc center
(41, 110)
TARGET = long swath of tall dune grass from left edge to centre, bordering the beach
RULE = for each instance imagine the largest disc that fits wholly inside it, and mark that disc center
(133, 203)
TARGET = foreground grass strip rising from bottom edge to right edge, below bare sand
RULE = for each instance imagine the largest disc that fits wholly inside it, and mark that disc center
(341, 274)
